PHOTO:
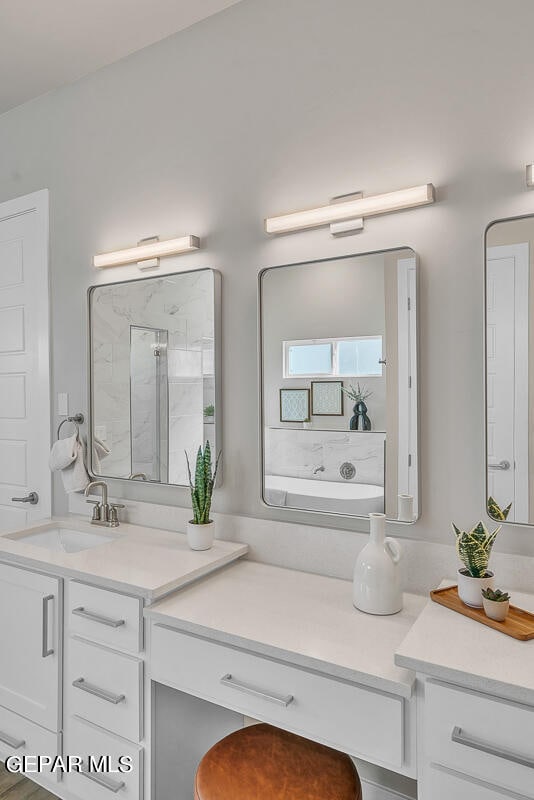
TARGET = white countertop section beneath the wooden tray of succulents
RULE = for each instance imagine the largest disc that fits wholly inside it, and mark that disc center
(454, 648)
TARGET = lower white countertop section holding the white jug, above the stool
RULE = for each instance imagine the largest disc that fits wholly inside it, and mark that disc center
(303, 619)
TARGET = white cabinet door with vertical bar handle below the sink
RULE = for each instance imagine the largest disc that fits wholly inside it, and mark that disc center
(30, 640)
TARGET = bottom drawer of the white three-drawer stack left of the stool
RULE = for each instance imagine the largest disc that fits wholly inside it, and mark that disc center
(83, 739)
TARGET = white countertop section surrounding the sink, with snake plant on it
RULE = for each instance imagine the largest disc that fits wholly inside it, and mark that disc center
(144, 561)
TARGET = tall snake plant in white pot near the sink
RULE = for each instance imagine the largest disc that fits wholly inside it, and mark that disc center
(201, 529)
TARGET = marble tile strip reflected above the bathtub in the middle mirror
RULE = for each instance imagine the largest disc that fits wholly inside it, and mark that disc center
(298, 452)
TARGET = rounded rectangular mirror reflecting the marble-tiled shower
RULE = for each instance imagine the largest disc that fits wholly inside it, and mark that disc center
(153, 375)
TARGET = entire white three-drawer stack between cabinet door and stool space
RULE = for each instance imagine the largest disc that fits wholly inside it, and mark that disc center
(104, 689)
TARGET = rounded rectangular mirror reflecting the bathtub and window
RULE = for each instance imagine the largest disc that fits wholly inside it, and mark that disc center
(338, 343)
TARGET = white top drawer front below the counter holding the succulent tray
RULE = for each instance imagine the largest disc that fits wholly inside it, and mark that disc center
(482, 736)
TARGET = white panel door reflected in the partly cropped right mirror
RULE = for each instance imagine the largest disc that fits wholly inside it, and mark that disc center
(507, 280)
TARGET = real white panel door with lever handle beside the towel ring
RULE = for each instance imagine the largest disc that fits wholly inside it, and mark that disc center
(24, 360)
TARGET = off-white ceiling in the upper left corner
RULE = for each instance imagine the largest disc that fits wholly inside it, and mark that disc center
(45, 44)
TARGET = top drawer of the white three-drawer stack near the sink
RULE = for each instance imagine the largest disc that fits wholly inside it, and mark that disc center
(104, 616)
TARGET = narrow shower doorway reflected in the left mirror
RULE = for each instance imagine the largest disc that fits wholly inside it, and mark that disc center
(149, 404)
